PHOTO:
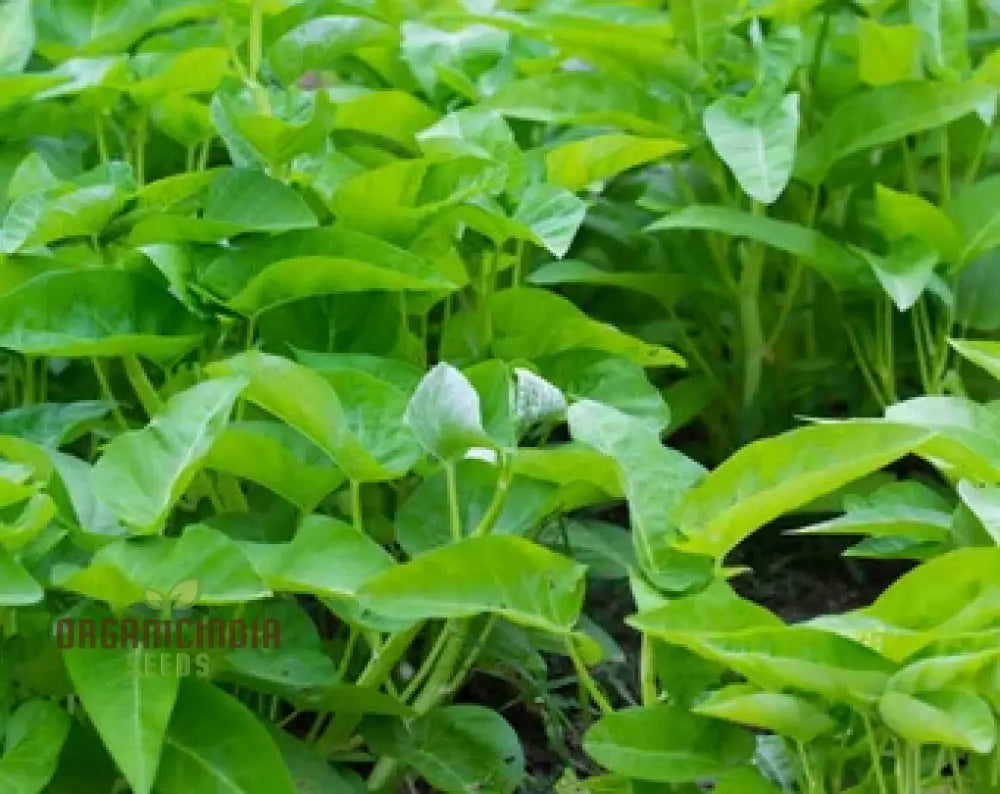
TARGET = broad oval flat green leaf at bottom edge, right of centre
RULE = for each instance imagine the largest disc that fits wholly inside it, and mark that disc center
(667, 744)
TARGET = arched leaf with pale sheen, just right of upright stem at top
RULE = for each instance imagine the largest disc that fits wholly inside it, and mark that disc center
(320, 42)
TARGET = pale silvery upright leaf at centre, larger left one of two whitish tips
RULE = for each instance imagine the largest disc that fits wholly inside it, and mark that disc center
(444, 414)
